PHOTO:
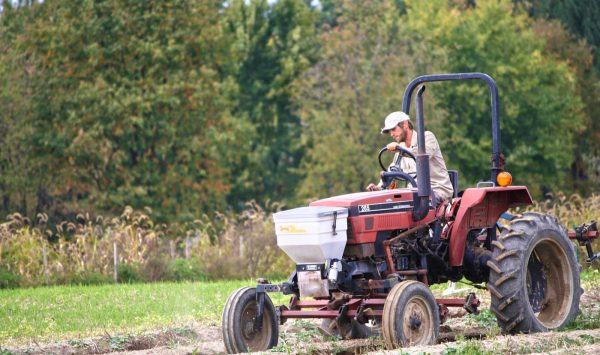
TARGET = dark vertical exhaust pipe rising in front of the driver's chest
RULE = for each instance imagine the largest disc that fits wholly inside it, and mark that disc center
(421, 200)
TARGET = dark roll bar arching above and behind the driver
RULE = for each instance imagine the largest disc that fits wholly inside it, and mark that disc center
(497, 159)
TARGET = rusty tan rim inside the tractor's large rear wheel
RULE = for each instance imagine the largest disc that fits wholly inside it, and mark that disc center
(549, 283)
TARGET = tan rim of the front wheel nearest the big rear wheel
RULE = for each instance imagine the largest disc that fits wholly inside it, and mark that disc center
(417, 322)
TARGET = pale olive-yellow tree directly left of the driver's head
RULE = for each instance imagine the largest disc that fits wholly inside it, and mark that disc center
(345, 96)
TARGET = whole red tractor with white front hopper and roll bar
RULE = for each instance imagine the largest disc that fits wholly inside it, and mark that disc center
(370, 256)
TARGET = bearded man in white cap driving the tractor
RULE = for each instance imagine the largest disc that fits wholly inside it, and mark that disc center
(399, 126)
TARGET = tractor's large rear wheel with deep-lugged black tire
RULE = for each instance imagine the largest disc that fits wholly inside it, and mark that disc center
(534, 276)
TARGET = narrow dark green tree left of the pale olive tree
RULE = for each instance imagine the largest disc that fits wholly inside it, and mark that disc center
(273, 46)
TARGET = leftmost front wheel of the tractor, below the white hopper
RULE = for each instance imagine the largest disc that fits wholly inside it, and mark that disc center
(239, 314)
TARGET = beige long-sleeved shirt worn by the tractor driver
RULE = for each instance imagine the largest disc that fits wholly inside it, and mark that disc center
(440, 181)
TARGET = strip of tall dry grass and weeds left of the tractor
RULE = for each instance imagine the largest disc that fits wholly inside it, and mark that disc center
(81, 251)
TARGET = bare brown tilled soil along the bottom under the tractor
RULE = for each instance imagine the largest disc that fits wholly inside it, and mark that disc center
(458, 335)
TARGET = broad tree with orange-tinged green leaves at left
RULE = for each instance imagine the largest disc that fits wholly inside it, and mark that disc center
(127, 108)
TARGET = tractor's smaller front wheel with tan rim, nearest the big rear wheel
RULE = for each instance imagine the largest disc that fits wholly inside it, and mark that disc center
(410, 316)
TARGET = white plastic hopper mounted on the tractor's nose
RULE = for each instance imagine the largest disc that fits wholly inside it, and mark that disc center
(312, 235)
